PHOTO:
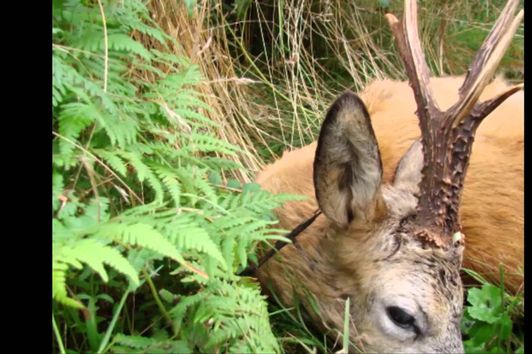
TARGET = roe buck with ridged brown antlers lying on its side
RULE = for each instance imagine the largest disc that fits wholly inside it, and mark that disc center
(392, 237)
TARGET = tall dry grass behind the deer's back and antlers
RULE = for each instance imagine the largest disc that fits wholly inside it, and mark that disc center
(272, 70)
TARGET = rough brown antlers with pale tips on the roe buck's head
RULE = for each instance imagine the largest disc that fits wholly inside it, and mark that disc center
(447, 136)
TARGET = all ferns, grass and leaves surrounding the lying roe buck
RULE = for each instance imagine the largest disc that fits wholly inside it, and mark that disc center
(162, 113)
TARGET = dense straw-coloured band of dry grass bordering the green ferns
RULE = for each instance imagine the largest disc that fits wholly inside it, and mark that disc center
(223, 90)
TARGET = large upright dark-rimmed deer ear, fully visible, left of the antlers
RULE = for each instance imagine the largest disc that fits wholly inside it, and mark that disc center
(347, 167)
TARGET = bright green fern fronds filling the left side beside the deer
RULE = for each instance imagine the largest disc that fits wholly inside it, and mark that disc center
(139, 197)
